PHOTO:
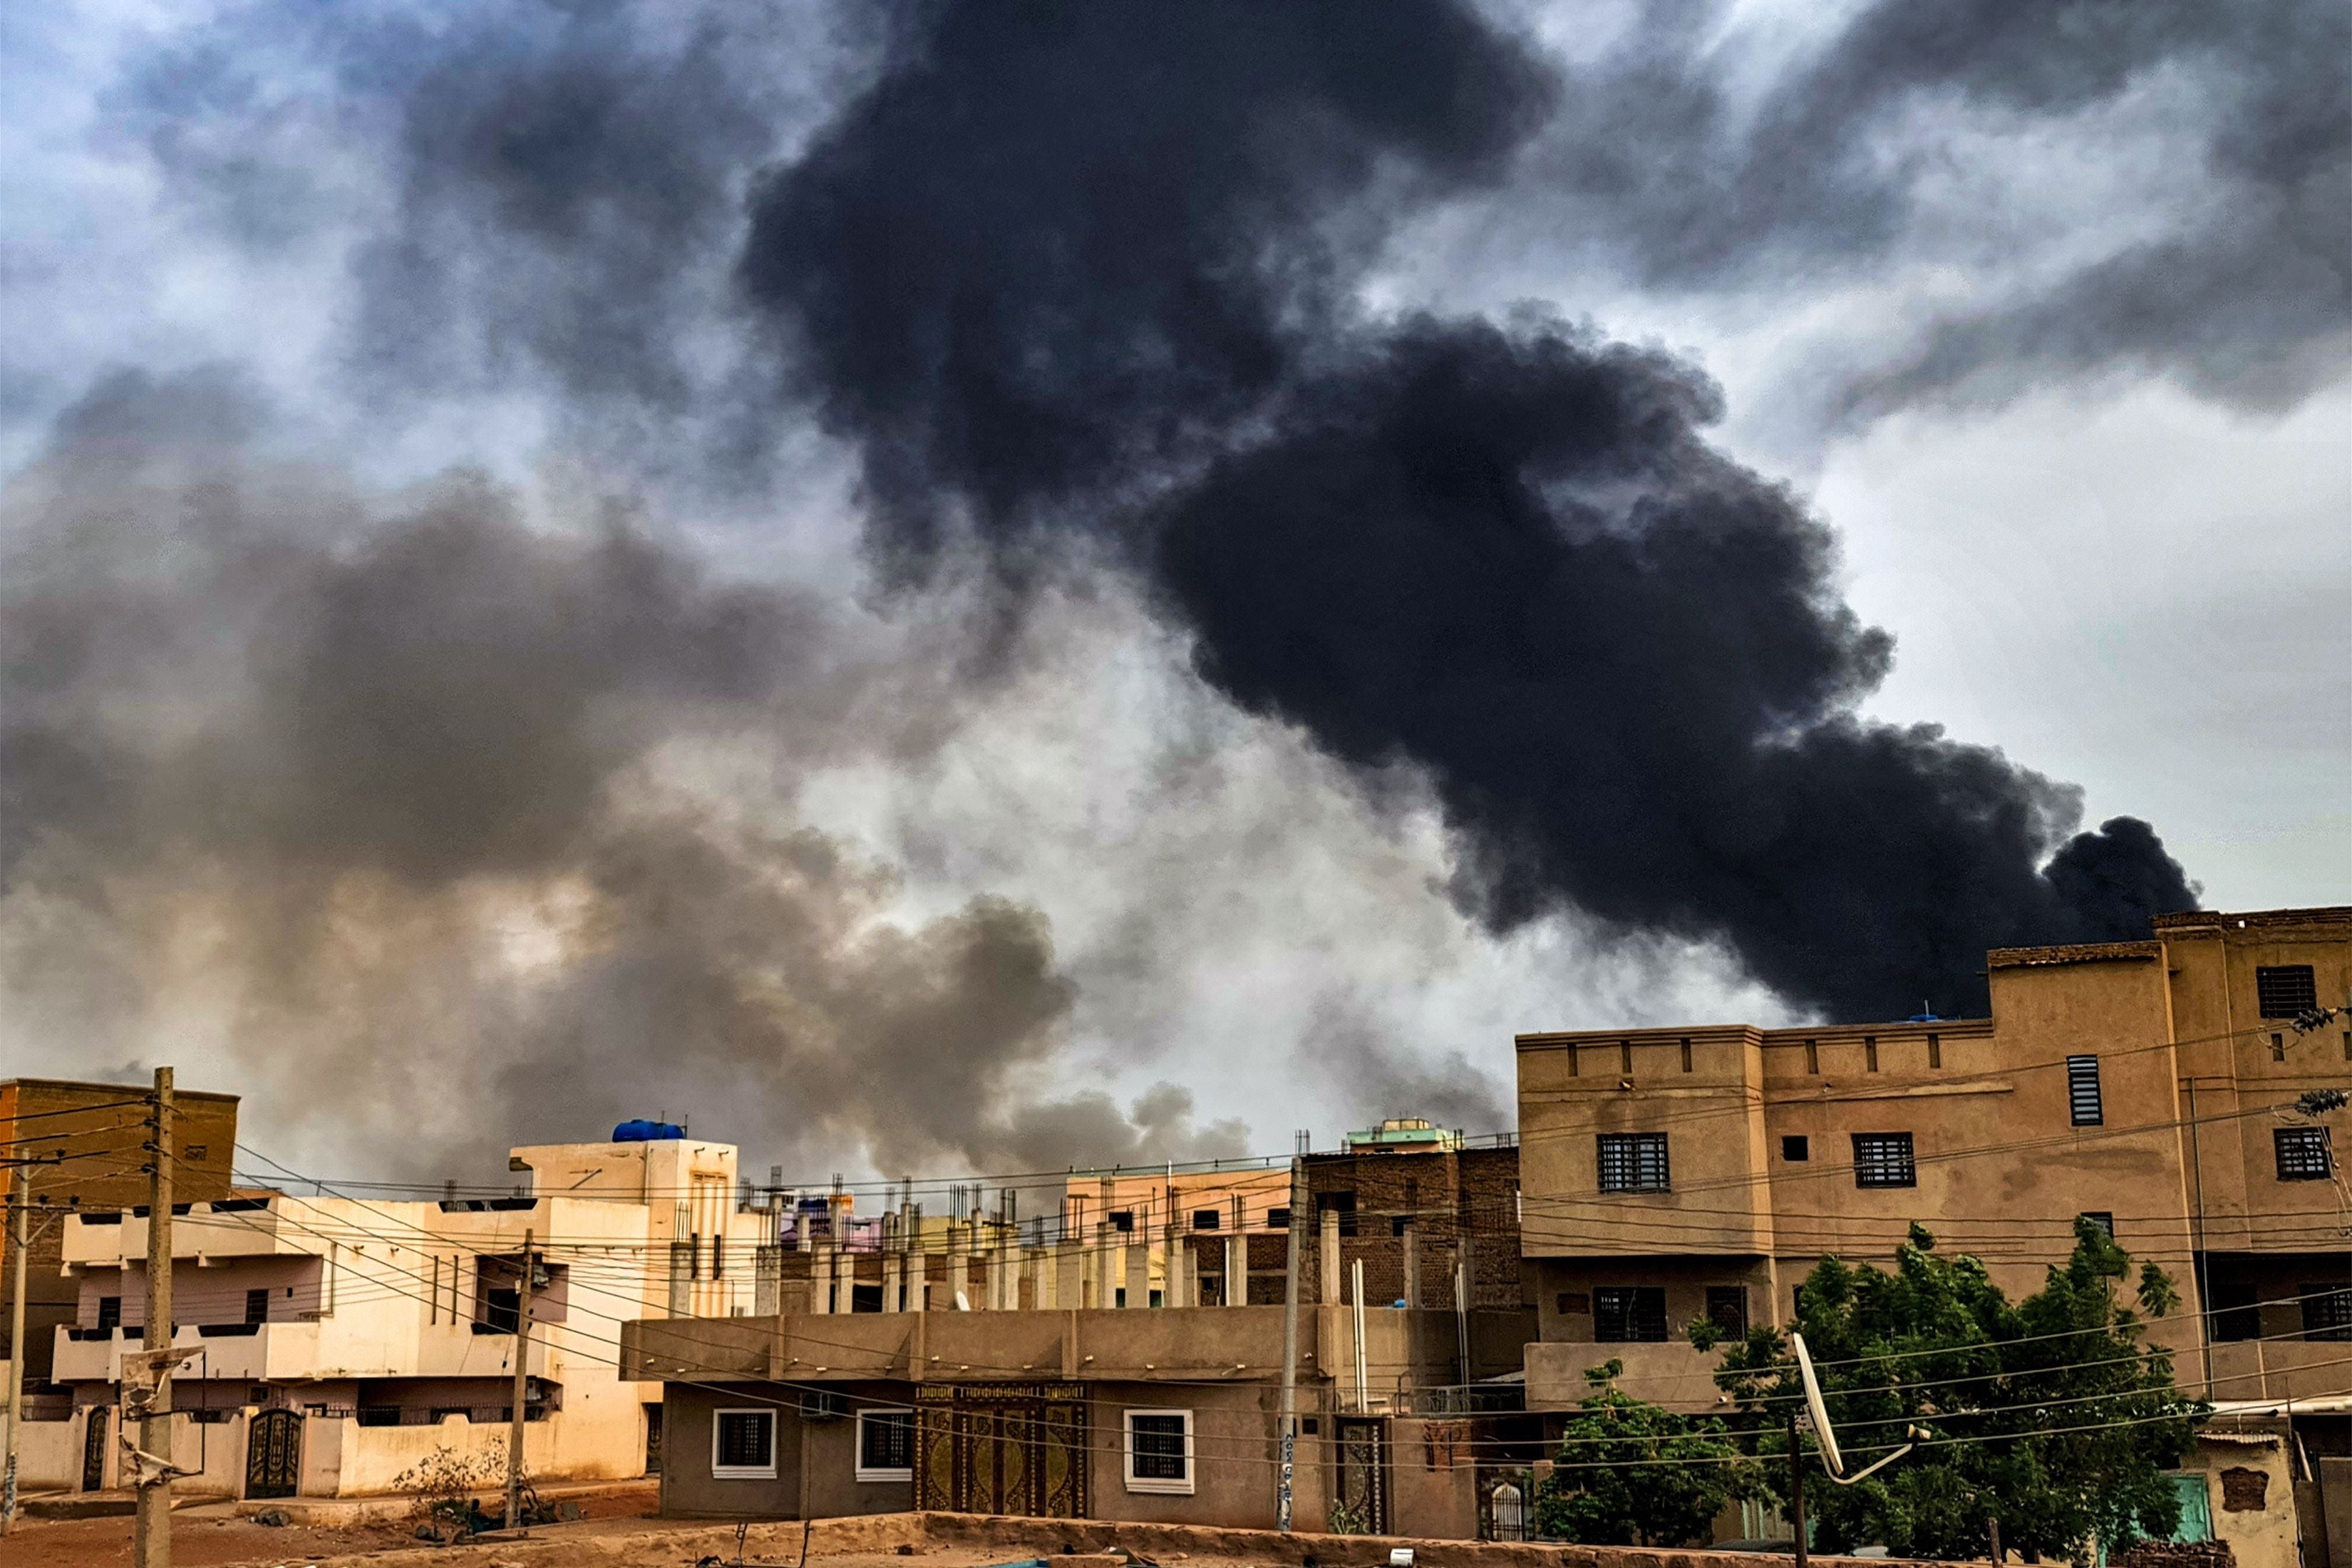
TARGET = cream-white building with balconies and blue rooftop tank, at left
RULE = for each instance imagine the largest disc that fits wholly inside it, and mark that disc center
(340, 1339)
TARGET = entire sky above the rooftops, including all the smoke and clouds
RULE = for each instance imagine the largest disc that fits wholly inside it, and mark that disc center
(947, 598)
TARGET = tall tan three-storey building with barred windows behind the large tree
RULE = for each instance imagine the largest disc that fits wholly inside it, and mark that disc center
(1702, 1172)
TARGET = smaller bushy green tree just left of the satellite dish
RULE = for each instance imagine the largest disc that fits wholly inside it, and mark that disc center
(1638, 1475)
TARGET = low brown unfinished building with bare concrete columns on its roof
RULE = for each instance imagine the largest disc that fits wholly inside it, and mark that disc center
(1062, 1391)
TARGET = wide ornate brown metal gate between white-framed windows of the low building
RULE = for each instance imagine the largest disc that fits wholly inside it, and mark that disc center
(994, 1449)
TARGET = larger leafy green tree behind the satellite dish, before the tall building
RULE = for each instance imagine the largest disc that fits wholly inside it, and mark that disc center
(2052, 1414)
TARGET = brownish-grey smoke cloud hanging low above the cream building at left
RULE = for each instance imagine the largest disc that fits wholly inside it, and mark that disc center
(429, 808)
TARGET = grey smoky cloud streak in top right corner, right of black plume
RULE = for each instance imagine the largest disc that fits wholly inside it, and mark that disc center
(1690, 161)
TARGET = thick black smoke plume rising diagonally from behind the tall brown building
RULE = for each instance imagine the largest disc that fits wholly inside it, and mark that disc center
(1088, 272)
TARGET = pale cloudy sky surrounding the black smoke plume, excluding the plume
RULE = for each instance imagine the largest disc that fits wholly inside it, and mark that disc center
(2050, 330)
